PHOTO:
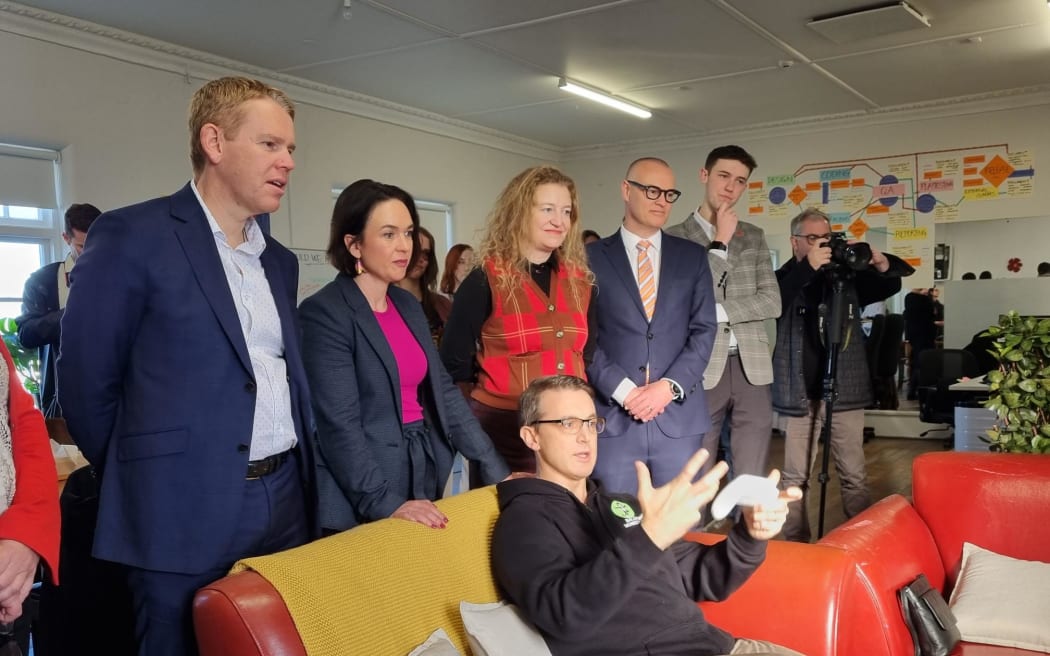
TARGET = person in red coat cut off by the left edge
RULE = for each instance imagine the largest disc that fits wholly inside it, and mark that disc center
(29, 501)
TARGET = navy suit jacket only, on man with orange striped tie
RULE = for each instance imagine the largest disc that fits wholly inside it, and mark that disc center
(677, 344)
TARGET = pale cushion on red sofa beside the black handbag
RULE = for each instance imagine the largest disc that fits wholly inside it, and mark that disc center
(1002, 601)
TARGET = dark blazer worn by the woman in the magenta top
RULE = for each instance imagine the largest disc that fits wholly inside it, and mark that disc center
(363, 467)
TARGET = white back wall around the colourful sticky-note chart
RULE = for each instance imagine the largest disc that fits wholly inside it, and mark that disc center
(783, 151)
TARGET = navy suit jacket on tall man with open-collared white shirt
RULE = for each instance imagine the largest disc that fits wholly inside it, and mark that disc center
(158, 388)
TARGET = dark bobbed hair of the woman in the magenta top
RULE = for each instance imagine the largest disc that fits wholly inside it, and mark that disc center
(351, 216)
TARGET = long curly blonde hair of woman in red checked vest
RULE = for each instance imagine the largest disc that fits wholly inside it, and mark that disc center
(508, 229)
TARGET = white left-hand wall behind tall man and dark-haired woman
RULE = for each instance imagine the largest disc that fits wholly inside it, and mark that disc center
(121, 129)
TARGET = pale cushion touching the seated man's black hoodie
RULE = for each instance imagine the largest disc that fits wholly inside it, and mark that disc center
(500, 630)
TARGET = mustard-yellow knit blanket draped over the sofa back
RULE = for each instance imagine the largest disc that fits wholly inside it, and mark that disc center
(381, 589)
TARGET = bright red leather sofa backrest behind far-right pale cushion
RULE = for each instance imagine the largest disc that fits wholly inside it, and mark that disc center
(1000, 502)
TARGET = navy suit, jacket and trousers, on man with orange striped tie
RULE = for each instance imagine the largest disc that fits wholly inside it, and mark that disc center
(676, 345)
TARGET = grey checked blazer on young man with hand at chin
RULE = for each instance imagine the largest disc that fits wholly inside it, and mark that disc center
(747, 288)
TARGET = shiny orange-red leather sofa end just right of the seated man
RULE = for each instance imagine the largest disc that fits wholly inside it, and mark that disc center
(801, 598)
